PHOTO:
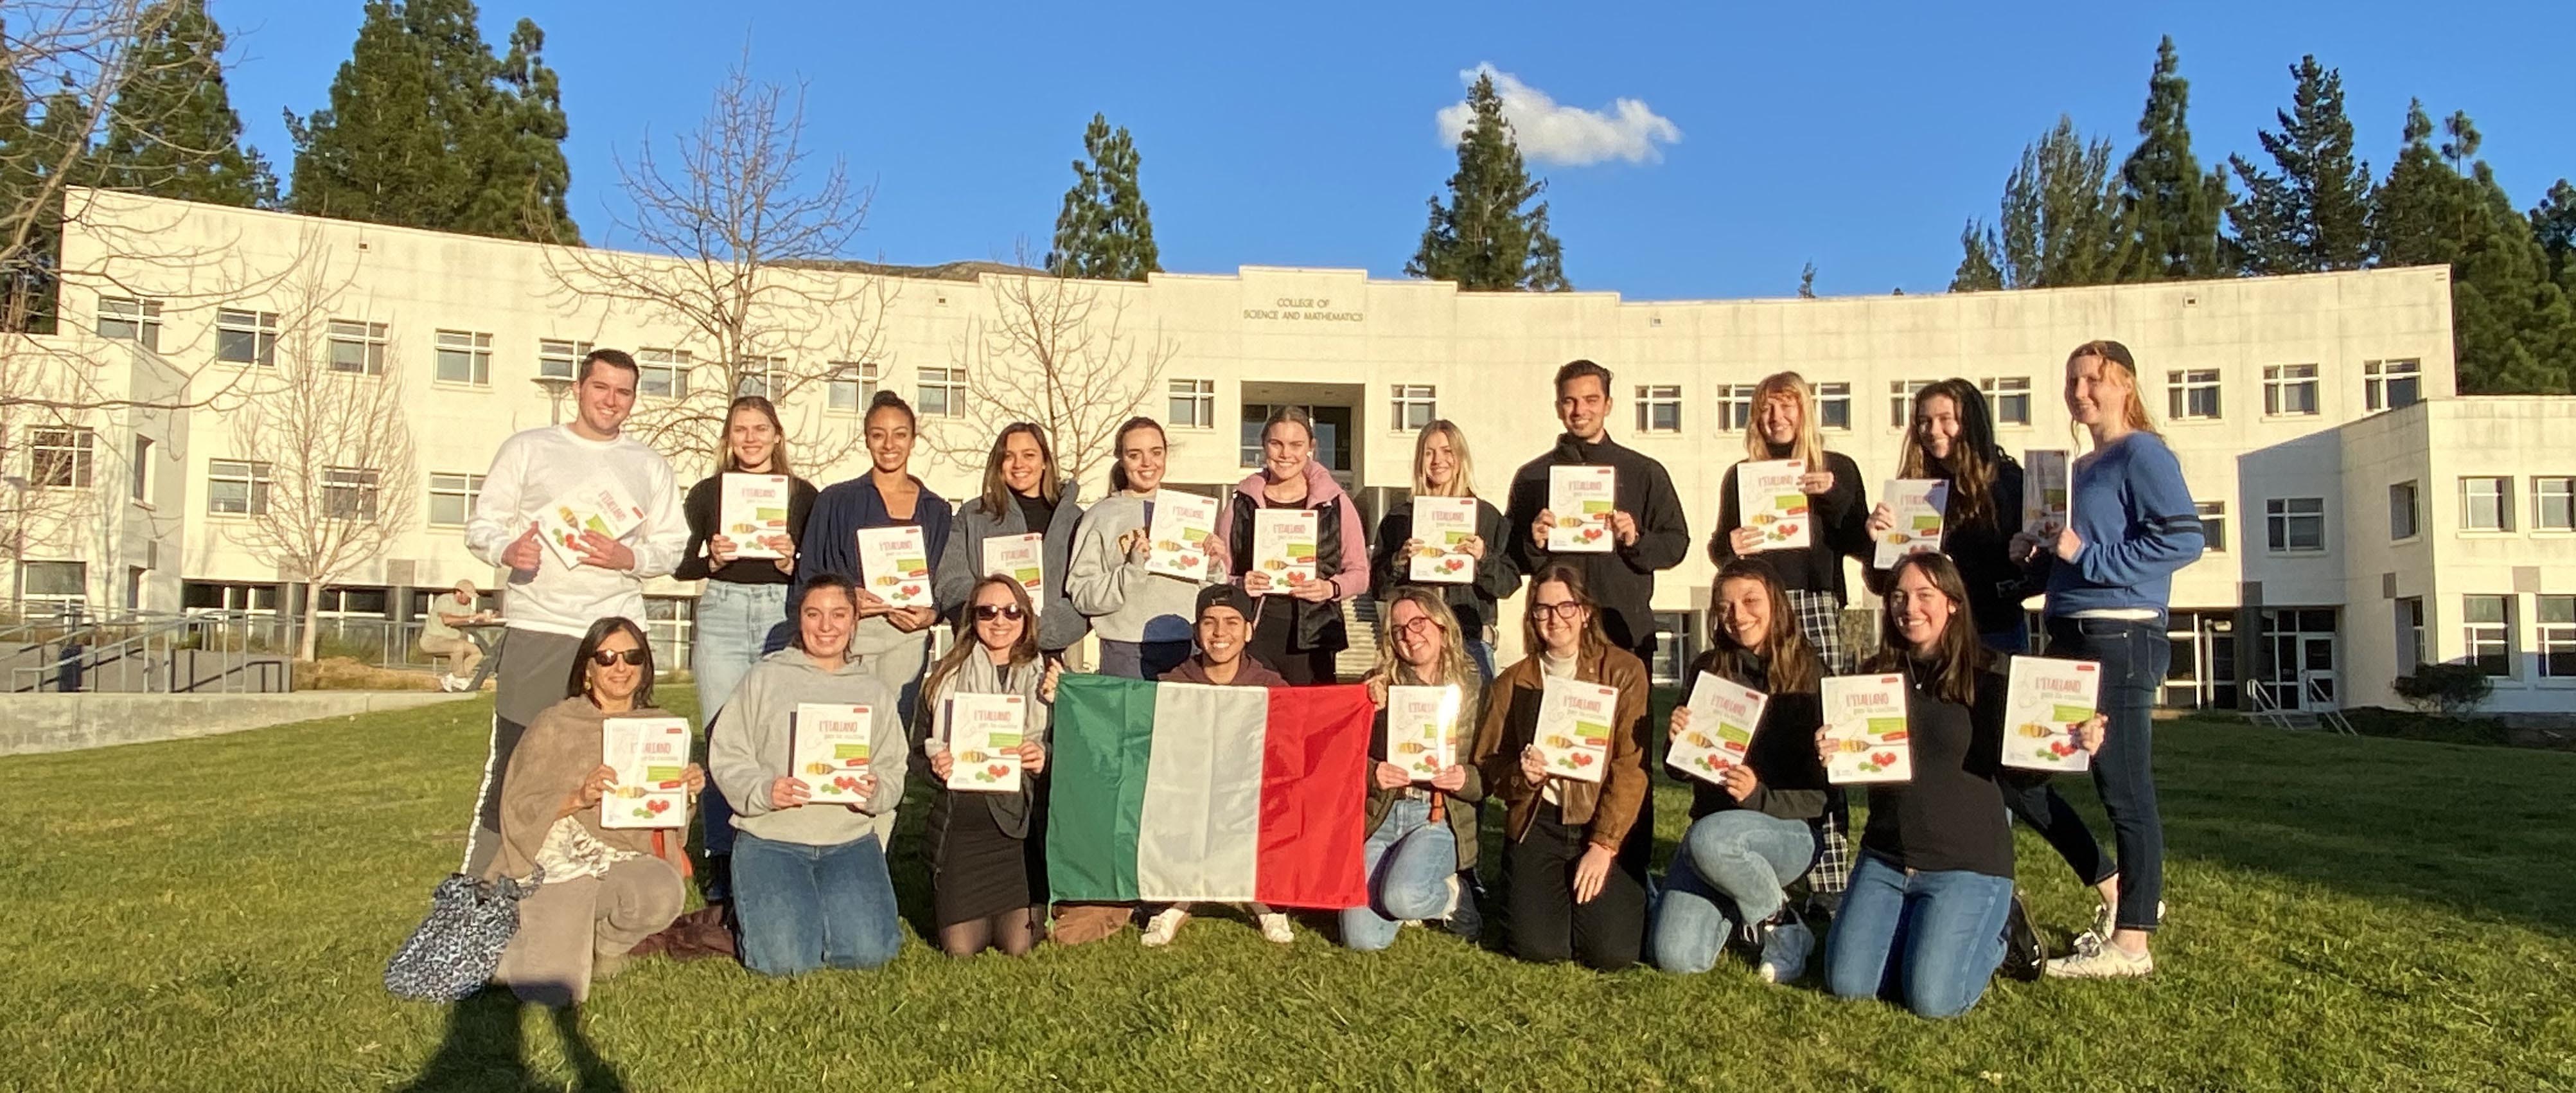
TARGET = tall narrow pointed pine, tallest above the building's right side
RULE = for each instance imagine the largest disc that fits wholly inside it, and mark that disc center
(2165, 202)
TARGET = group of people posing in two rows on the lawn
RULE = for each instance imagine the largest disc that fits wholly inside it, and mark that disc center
(1923, 904)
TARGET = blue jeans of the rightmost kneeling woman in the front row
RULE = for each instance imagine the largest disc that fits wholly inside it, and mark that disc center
(1926, 940)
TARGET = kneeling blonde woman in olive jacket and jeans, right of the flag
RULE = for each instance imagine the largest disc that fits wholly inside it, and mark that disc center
(1421, 837)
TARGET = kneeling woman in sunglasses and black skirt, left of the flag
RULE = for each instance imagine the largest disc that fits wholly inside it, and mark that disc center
(988, 852)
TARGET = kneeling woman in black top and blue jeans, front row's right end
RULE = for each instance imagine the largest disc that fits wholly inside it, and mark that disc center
(1936, 860)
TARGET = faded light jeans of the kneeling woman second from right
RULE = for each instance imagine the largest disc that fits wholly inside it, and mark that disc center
(1730, 873)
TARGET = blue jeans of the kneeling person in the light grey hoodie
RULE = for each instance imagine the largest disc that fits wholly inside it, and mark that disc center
(815, 906)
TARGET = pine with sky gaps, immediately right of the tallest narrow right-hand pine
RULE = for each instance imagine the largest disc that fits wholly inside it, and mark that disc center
(2315, 213)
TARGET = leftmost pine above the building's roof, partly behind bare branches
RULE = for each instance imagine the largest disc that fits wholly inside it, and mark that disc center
(174, 130)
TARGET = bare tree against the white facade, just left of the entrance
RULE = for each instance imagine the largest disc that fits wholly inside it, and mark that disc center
(1060, 354)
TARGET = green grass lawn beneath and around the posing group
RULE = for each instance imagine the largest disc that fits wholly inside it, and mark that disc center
(215, 916)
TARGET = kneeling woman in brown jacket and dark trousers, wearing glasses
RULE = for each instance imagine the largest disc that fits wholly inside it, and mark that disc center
(1575, 849)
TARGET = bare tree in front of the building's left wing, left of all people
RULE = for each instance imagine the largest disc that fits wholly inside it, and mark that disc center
(334, 445)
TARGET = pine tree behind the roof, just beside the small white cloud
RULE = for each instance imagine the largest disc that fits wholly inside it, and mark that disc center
(1485, 241)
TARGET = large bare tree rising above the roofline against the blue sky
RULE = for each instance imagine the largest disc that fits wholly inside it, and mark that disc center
(741, 226)
